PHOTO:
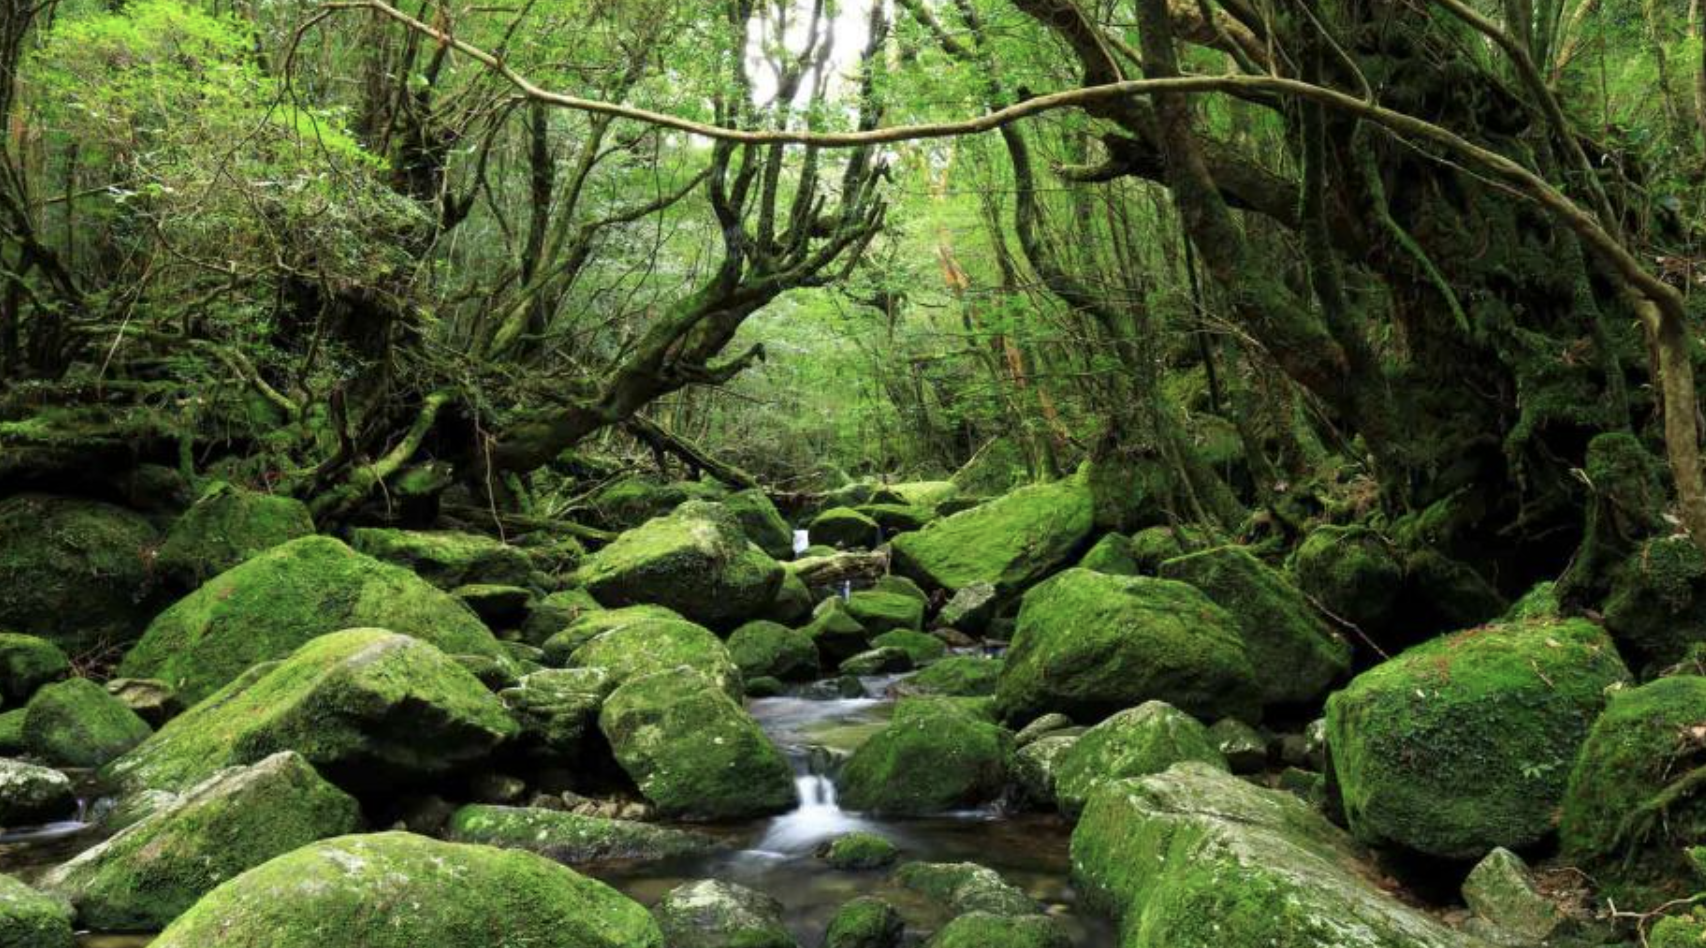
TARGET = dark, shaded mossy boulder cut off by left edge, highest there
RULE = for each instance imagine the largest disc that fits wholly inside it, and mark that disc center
(74, 572)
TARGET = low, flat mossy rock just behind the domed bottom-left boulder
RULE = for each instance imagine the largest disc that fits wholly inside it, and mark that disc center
(574, 838)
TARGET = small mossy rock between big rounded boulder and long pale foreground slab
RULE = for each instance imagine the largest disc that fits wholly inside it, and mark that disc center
(1134, 744)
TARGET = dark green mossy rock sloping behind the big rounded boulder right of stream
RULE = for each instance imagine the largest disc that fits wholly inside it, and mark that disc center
(1297, 654)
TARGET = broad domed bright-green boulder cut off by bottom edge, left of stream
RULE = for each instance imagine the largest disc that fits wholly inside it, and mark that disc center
(403, 891)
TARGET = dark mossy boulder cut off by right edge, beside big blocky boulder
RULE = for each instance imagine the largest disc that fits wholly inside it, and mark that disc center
(1635, 797)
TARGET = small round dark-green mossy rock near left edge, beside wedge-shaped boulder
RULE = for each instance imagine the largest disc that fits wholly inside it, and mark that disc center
(78, 724)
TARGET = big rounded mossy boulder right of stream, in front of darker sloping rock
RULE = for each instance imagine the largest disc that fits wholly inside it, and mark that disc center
(1091, 645)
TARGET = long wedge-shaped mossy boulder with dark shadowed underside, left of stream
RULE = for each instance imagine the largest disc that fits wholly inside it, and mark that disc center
(369, 708)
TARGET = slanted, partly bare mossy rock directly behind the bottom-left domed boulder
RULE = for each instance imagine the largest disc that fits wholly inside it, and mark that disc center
(156, 869)
